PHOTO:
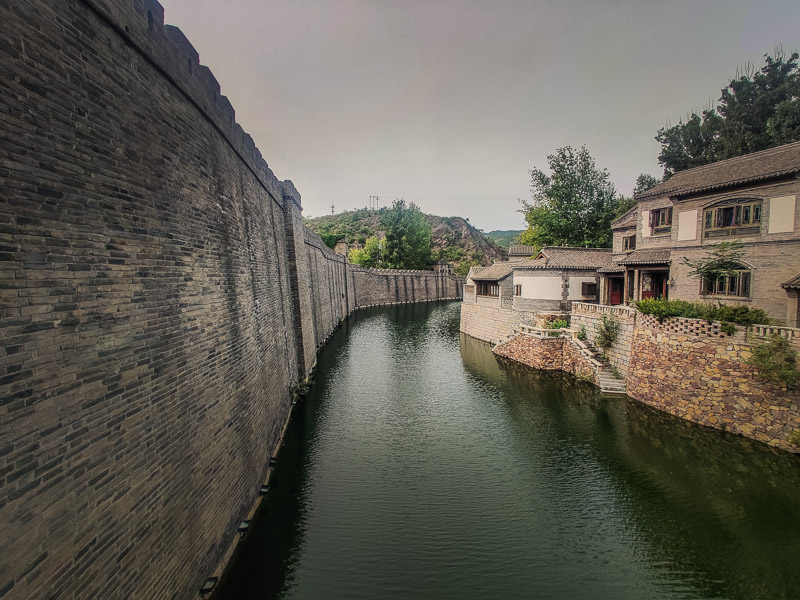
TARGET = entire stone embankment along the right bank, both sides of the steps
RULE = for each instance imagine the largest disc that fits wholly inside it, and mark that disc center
(687, 367)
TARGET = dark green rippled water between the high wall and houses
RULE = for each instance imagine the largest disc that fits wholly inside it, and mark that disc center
(420, 466)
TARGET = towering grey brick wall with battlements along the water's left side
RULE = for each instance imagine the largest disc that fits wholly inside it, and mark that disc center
(159, 297)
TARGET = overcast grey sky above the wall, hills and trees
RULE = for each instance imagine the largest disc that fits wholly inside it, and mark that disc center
(449, 103)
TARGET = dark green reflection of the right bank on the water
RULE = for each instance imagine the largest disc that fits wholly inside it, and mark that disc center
(722, 509)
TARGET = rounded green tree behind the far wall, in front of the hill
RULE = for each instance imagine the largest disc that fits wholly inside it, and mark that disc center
(408, 236)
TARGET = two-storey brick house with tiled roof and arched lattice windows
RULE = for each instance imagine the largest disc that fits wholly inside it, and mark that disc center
(751, 198)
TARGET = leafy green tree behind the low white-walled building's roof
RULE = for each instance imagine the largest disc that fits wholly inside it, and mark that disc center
(572, 206)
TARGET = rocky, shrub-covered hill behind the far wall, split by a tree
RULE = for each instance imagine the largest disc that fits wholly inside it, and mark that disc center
(452, 238)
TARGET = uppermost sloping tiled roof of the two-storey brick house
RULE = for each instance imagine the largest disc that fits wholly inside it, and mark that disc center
(758, 166)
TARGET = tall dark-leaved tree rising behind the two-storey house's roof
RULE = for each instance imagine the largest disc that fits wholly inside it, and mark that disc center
(757, 110)
